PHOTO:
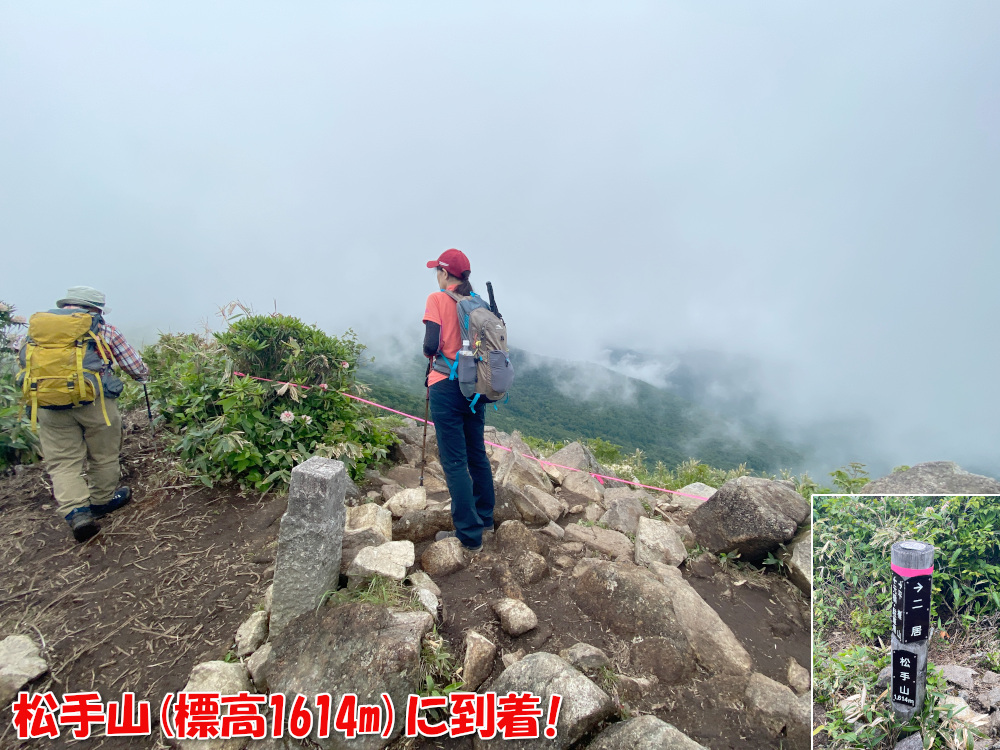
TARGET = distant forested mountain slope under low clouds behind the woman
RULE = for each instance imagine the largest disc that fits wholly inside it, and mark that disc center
(557, 400)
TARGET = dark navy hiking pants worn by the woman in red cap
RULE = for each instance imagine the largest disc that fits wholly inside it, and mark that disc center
(463, 458)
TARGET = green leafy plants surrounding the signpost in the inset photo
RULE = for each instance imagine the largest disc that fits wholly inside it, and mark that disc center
(852, 600)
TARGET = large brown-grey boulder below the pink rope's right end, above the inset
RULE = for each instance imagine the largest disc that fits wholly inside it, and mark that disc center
(750, 515)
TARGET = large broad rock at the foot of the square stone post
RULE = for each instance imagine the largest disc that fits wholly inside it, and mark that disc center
(358, 648)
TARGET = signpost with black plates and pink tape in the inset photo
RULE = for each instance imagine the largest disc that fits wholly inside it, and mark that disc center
(912, 566)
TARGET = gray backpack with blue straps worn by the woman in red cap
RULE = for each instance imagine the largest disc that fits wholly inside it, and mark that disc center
(483, 368)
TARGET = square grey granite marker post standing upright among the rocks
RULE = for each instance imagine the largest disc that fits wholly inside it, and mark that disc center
(310, 540)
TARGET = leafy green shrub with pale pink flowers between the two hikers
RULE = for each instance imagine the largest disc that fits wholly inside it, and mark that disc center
(236, 428)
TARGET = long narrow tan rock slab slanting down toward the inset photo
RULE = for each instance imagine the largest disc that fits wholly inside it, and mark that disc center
(716, 647)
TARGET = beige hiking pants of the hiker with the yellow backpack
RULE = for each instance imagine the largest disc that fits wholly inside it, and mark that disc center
(69, 436)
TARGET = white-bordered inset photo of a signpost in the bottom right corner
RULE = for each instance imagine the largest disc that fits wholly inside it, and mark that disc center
(906, 652)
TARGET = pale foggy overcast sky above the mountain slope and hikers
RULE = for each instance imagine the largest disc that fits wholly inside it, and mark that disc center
(816, 187)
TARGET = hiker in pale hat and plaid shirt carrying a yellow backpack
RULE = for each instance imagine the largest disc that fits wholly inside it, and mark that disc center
(68, 384)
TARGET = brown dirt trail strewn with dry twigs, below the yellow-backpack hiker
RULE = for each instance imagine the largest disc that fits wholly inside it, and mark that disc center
(164, 585)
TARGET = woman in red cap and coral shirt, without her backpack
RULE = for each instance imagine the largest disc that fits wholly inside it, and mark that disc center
(459, 429)
